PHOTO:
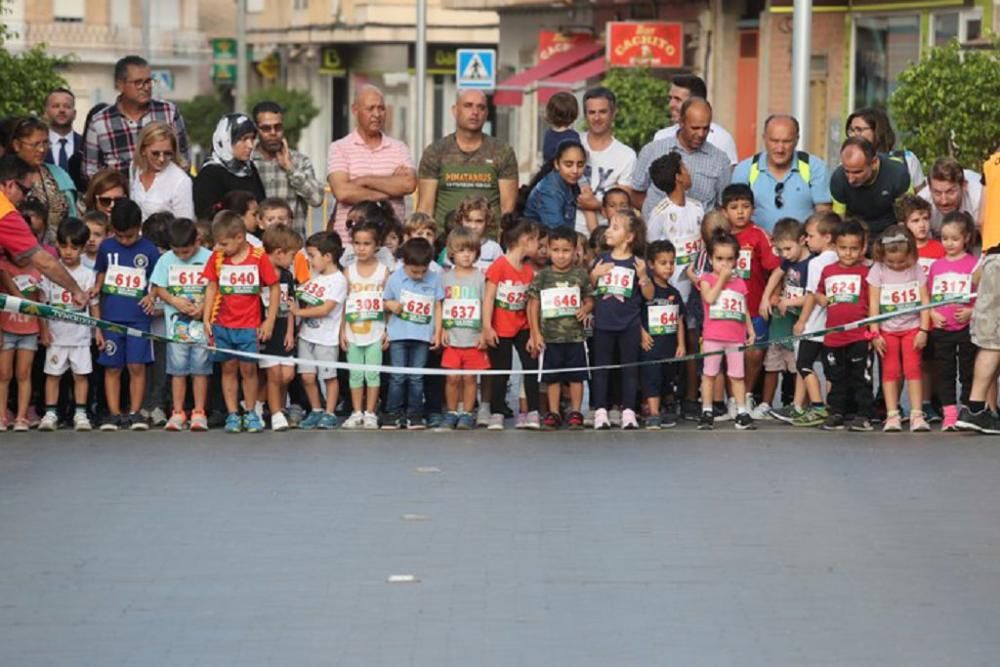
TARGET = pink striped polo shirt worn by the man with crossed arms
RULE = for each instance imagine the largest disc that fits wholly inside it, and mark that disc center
(352, 156)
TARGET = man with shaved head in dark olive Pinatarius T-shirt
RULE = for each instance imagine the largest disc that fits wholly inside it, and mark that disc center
(467, 163)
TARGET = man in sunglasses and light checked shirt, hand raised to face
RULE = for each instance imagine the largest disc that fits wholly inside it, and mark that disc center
(285, 173)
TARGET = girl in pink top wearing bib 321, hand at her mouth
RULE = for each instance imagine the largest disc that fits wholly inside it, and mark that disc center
(727, 325)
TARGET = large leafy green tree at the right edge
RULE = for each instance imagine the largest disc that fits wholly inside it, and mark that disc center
(946, 104)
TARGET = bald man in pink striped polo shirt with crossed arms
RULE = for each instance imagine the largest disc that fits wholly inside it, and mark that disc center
(368, 165)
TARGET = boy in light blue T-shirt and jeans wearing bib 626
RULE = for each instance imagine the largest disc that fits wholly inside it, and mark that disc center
(413, 299)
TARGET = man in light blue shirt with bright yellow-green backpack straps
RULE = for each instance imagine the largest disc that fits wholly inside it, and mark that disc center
(786, 183)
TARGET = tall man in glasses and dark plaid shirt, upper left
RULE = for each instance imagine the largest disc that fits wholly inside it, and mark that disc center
(113, 133)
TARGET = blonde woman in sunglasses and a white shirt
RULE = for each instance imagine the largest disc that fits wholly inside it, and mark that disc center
(158, 181)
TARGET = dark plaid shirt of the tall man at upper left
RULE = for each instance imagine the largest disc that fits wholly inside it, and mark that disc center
(112, 137)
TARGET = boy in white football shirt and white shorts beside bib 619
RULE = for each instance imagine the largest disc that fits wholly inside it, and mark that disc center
(68, 344)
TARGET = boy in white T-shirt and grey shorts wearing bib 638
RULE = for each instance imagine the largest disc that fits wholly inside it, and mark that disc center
(322, 307)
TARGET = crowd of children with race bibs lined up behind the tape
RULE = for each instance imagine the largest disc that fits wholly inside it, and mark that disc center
(599, 328)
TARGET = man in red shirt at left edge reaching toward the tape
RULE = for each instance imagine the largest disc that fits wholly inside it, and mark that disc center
(16, 239)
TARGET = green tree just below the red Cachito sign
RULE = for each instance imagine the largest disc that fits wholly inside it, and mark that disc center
(642, 104)
